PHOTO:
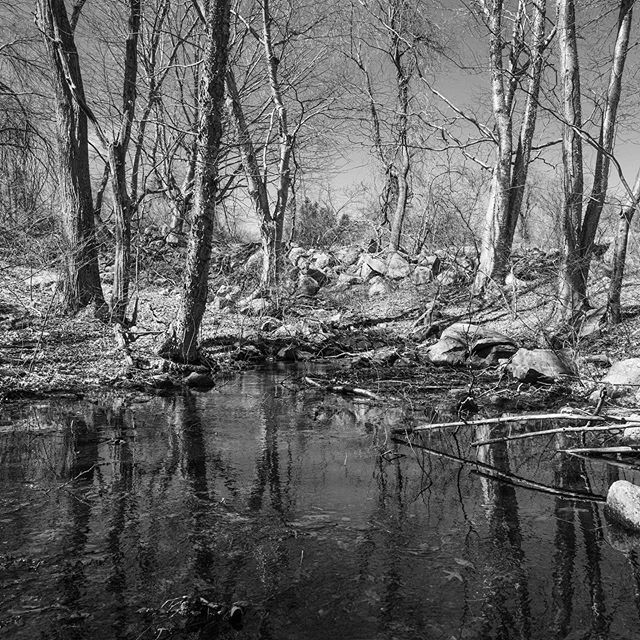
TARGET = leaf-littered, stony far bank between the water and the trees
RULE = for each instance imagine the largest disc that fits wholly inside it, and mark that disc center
(378, 342)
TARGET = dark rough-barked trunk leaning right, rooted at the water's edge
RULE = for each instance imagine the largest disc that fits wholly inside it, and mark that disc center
(182, 344)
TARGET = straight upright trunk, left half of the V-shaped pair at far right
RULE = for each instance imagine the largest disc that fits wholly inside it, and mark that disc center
(572, 287)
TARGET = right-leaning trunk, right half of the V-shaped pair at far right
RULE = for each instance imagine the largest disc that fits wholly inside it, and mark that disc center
(607, 139)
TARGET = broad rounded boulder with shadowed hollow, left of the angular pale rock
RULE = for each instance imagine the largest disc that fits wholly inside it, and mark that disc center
(480, 345)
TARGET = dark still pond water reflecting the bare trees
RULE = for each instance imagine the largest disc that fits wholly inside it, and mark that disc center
(302, 509)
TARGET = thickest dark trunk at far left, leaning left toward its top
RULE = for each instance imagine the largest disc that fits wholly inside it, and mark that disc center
(82, 279)
